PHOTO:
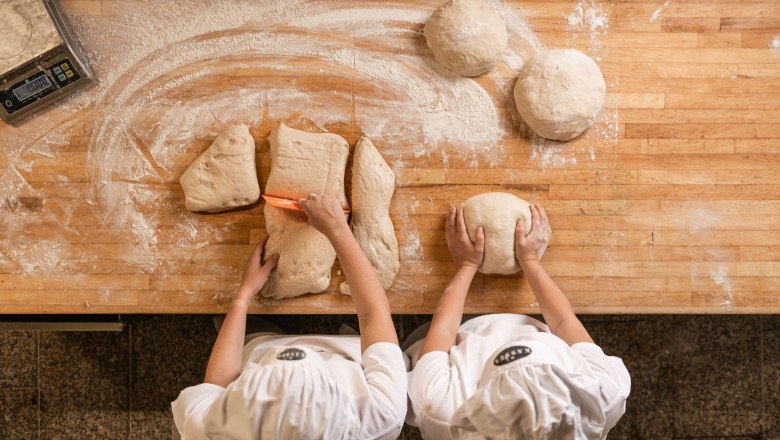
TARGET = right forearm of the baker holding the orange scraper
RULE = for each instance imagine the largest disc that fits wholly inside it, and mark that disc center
(368, 295)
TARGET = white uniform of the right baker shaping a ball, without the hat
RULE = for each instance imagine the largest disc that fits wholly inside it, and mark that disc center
(440, 382)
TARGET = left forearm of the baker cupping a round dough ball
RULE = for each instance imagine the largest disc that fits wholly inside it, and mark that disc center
(449, 312)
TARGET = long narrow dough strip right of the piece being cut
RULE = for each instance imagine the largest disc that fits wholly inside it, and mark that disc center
(373, 184)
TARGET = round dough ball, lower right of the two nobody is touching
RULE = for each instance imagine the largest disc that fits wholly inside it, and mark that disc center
(559, 93)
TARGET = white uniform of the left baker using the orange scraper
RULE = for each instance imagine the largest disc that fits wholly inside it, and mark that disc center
(374, 381)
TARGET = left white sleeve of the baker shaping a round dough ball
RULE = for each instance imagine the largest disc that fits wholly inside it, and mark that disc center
(432, 395)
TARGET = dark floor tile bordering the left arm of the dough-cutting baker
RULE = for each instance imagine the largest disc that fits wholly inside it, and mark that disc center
(170, 353)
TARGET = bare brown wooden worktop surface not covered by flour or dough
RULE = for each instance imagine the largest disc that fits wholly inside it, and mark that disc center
(676, 210)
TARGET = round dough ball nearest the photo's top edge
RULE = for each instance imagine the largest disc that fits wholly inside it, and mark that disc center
(466, 36)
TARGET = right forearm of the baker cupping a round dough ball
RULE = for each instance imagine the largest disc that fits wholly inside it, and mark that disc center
(554, 305)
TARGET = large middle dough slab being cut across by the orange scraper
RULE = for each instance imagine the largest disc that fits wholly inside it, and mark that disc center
(301, 163)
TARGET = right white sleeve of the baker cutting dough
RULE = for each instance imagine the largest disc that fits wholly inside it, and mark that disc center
(385, 371)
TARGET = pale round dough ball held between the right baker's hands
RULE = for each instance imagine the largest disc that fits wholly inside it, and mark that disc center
(497, 213)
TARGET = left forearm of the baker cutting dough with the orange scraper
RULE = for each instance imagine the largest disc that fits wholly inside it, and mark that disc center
(225, 361)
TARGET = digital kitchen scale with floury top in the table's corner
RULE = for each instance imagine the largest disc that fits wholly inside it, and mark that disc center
(38, 59)
